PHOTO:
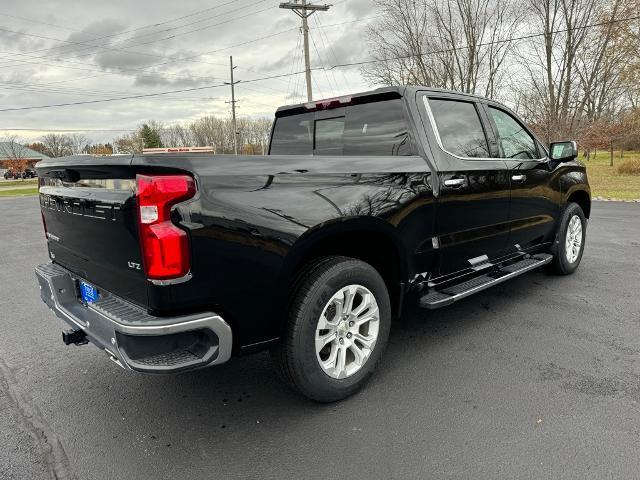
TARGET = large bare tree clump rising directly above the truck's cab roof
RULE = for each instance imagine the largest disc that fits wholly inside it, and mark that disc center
(460, 45)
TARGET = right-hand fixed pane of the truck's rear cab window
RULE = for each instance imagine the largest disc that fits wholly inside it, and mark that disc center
(377, 128)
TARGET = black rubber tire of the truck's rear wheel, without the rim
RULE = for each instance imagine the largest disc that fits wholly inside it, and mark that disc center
(295, 355)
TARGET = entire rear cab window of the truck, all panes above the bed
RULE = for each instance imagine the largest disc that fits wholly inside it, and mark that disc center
(377, 128)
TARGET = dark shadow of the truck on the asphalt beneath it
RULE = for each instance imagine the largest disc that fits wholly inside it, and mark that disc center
(245, 395)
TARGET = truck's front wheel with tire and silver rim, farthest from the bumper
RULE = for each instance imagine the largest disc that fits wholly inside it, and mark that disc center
(570, 239)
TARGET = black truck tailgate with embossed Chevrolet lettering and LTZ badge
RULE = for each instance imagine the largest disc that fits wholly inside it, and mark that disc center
(89, 210)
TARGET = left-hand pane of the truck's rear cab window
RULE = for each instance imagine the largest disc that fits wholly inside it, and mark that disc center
(293, 135)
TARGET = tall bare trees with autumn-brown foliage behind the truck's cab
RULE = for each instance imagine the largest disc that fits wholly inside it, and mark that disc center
(571, 68)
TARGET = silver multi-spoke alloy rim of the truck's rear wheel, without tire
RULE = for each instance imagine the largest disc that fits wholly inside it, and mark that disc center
(347, 331)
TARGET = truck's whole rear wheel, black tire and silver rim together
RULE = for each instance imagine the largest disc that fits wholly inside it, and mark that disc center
(338, 326)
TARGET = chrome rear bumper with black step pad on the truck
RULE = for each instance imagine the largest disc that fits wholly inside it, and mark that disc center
(130, 336)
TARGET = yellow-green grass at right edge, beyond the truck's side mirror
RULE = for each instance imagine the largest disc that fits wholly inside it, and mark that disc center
(607, 182)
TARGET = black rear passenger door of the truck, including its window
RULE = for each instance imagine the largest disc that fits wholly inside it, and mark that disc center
(472, 210)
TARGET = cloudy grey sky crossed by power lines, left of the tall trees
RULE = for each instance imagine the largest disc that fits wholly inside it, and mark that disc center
(119, 48)
